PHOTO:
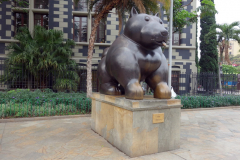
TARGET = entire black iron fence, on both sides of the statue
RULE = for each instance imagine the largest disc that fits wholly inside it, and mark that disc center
(182, 83)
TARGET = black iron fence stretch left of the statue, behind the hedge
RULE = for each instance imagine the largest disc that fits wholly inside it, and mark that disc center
(22, 79)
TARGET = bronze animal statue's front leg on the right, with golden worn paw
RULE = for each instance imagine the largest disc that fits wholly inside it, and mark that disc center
(158, 82)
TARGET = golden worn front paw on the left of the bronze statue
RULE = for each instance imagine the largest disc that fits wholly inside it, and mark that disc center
(134, 91)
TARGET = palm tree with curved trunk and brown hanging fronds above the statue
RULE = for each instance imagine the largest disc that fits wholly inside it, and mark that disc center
(103, 7)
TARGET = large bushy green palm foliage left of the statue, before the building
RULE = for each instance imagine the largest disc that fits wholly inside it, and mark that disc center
(42, 54)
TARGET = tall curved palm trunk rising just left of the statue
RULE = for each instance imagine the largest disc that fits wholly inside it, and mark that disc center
(97, 20)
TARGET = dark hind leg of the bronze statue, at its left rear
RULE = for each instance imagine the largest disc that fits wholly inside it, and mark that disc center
(108, 85)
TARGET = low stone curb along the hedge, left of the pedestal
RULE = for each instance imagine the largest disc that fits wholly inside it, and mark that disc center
(42, 118)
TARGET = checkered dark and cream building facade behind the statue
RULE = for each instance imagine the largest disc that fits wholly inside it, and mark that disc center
(75, 22)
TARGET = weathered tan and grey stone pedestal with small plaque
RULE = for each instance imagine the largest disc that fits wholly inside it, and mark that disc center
(137, 127)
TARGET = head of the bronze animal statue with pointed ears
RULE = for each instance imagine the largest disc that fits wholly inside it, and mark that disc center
(146, 30)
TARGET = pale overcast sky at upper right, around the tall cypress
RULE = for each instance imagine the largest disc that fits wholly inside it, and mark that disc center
(228, 12)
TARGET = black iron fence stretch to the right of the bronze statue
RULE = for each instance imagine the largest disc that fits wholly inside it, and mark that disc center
(204, 83)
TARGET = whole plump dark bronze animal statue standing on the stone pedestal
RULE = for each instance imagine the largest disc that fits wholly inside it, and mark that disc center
(134, 56)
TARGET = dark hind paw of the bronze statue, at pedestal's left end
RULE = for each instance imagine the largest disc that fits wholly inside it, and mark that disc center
(110, 89)
